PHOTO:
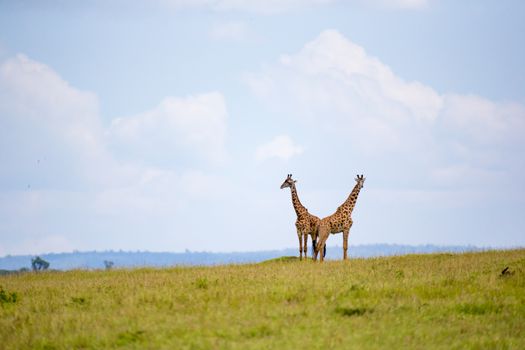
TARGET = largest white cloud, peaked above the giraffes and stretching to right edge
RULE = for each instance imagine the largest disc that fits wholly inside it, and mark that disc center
(335, 87)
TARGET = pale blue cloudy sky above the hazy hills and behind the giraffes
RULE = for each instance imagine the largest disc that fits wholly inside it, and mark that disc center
(169, 125)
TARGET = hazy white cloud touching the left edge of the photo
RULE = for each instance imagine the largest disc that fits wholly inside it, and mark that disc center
(49, 123)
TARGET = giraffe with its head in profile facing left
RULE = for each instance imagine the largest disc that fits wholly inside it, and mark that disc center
(306, 223)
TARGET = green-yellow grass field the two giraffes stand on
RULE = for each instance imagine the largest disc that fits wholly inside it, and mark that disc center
(416, 301)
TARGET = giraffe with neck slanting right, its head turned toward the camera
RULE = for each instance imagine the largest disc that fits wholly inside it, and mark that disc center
(340, 221)
